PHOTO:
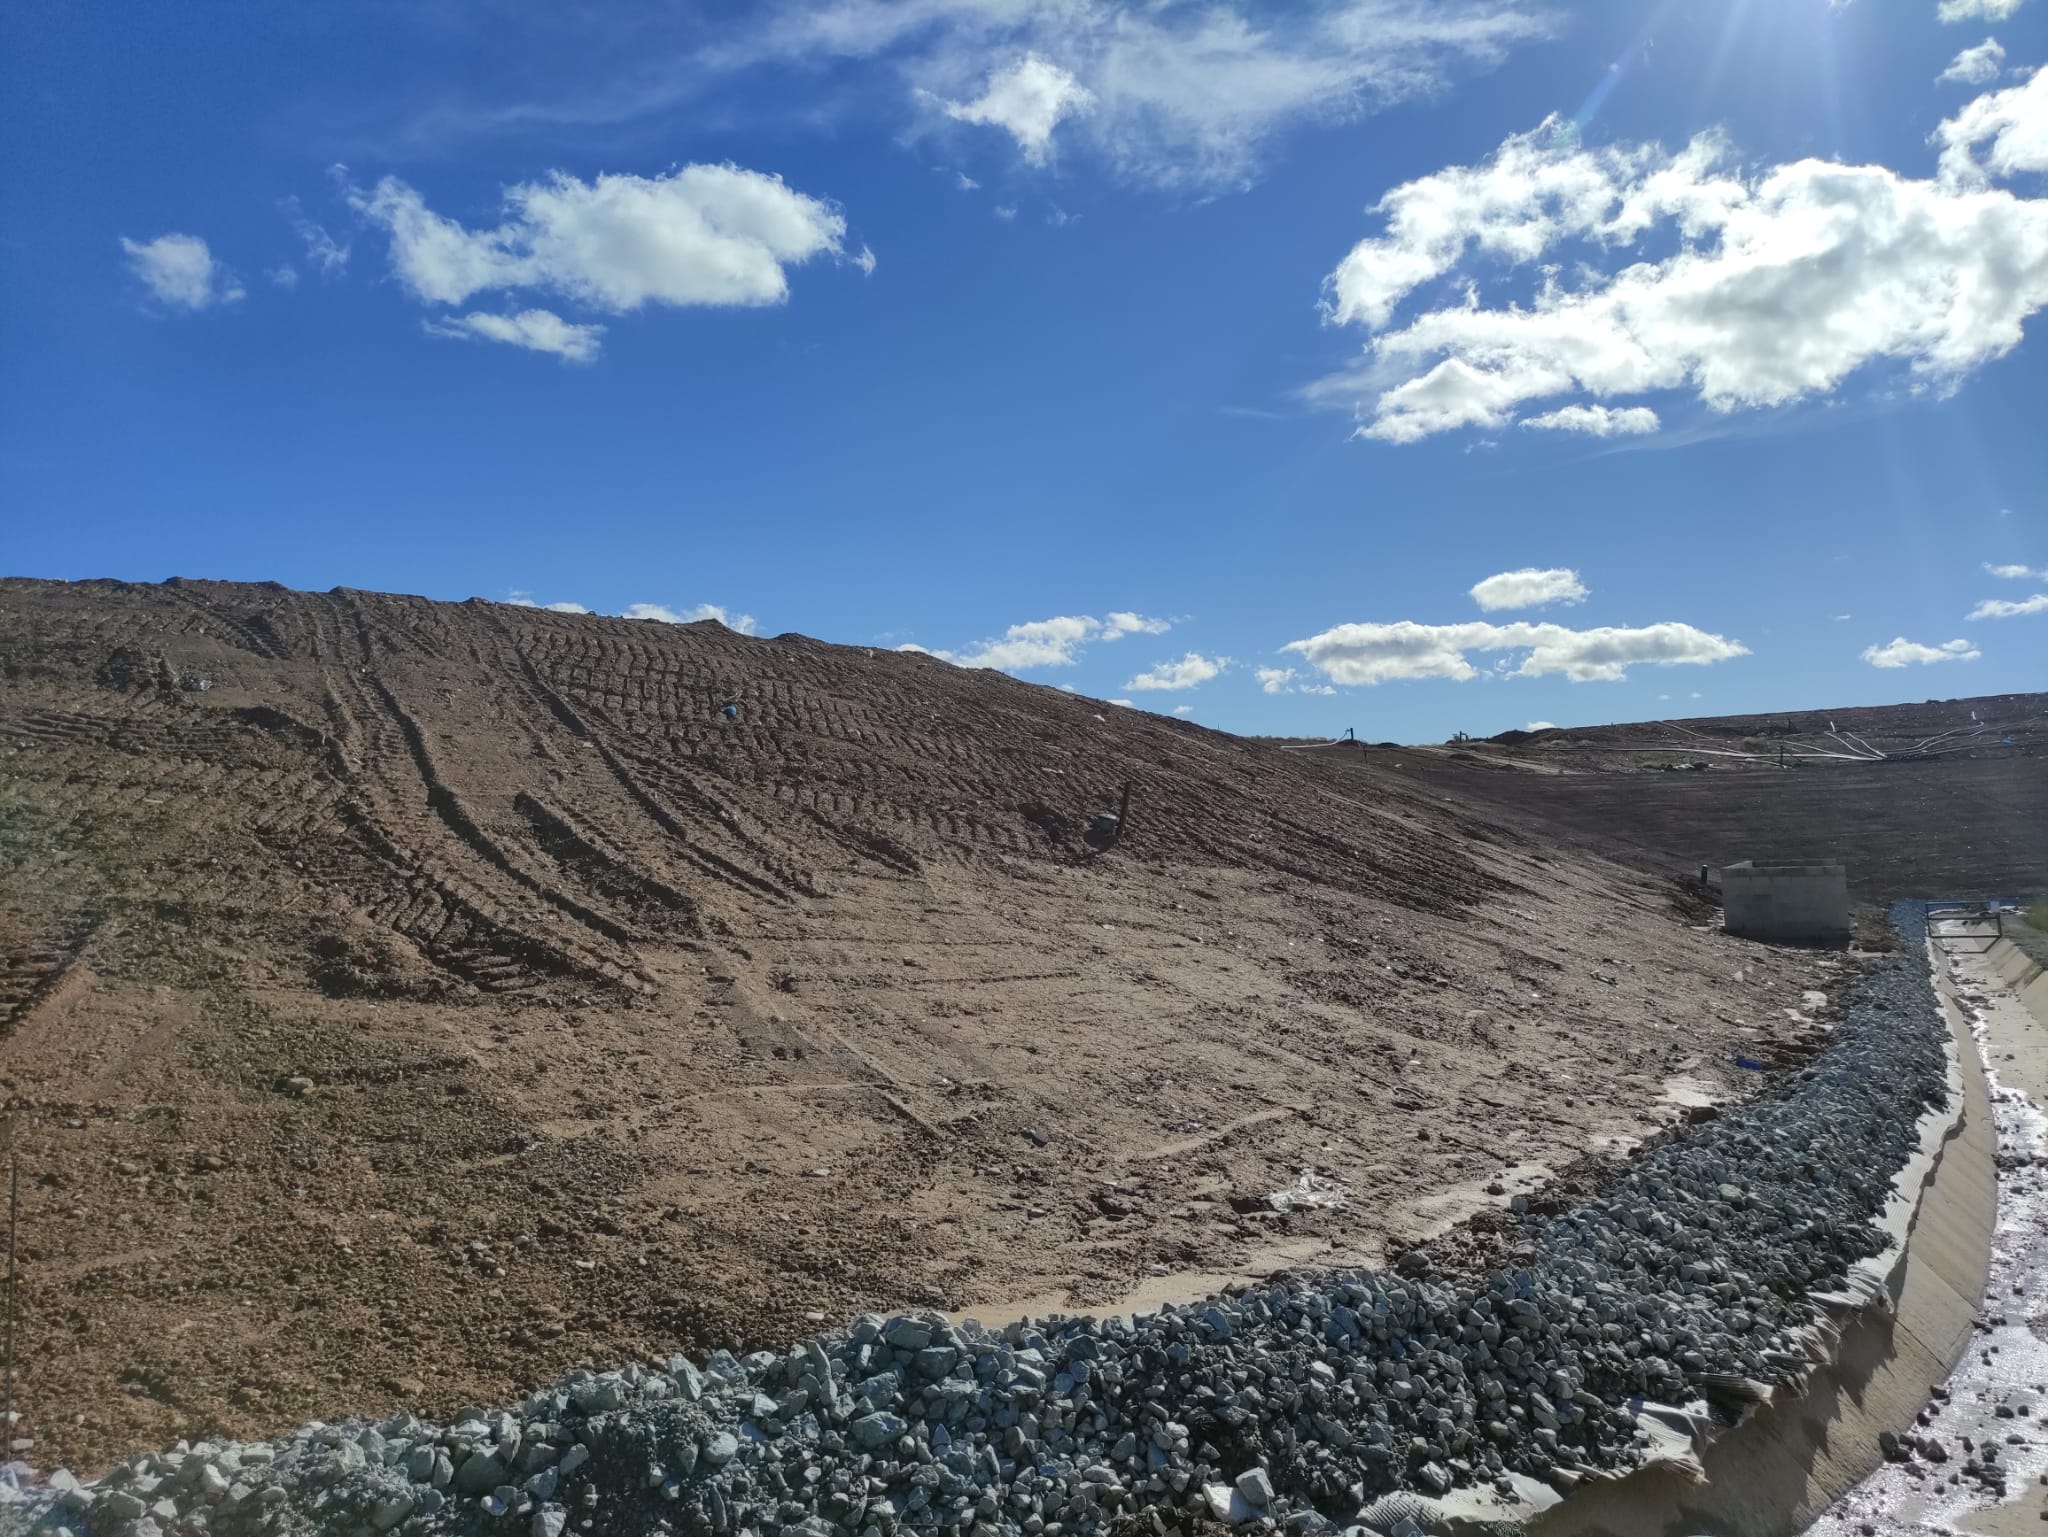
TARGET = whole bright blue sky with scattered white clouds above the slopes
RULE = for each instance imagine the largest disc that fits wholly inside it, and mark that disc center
(1201, 358)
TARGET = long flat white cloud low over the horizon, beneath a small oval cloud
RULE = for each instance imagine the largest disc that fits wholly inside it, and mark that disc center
(1367, 655)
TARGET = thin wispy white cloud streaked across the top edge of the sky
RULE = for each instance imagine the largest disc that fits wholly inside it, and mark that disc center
(1187, 95)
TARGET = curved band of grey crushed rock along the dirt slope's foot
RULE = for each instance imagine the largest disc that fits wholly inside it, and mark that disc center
(1717, 1278)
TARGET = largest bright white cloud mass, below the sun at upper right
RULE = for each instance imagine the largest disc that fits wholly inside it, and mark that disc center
(1660, 272)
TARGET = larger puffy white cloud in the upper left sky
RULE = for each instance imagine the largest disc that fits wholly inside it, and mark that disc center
(693, 237)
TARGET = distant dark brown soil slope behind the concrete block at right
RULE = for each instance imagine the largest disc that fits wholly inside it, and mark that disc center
(1973, 825)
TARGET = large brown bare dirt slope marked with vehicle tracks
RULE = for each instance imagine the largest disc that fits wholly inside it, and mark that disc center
(409, 1001)
